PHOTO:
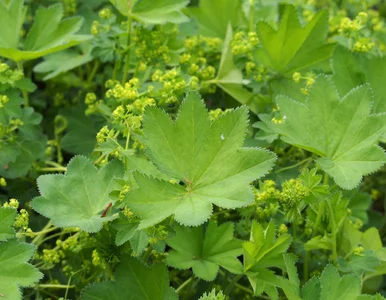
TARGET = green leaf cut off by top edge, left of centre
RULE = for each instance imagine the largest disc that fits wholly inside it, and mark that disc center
(153, 12)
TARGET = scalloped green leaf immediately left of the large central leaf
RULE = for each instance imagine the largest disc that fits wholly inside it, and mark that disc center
(78, 198)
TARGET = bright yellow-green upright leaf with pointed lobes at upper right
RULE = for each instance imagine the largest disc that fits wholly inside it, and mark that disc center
(293, 47)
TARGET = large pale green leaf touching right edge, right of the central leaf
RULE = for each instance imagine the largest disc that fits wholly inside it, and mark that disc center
(340, 130)
